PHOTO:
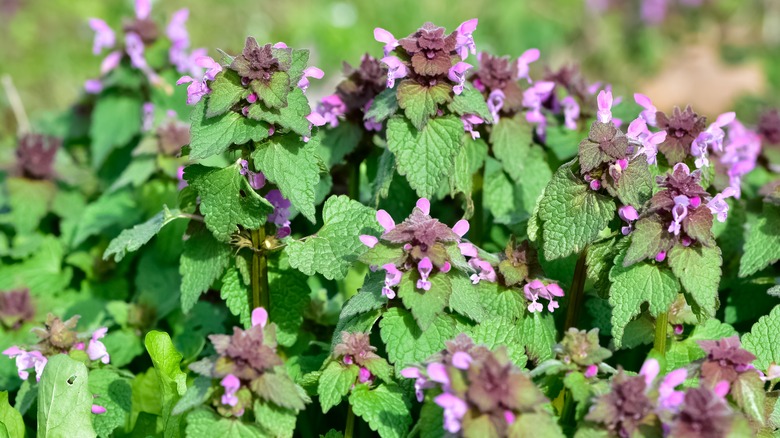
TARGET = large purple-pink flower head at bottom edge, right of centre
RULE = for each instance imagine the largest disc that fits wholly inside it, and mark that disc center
(475, 385)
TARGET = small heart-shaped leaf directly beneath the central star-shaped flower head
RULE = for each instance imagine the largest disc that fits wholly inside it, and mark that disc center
(426, 306)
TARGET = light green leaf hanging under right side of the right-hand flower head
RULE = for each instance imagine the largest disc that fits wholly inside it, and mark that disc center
(699, 272)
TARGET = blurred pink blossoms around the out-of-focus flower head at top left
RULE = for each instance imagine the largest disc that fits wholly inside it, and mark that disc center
(141, 33)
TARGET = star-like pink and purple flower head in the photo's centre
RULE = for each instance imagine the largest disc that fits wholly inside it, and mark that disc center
(420, 242)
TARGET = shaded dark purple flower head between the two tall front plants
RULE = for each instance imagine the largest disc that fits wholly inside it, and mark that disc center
(355, 94)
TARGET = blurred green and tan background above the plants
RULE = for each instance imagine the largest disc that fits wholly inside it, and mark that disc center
(717, 56)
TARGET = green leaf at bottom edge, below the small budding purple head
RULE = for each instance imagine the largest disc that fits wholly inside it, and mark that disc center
(384, 408)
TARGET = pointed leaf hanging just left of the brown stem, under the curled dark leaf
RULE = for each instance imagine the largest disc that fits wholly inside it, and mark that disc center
(203, 260)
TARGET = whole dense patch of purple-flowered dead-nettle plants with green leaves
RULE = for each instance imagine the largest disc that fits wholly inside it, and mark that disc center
(447, 244)
